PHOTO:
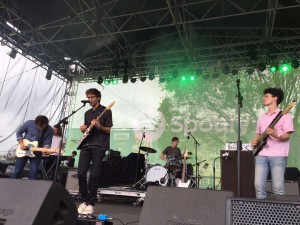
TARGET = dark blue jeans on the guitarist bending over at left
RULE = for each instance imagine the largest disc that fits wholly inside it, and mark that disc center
(34, 166)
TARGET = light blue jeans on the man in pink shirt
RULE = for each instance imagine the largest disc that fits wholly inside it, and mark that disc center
(263, 164)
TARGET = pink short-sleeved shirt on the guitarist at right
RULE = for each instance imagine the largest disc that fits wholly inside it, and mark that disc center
(274, 147)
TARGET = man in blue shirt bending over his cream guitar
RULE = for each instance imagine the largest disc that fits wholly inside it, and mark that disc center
(33, 130)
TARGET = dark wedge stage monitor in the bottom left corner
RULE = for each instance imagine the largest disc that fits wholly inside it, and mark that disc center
(35, 202)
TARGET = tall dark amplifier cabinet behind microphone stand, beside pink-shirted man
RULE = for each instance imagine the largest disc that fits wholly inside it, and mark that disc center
(229, 173)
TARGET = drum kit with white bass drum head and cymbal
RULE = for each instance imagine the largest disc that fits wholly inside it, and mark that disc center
(158, 174)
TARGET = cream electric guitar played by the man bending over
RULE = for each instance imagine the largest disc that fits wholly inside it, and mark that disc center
(31, 147)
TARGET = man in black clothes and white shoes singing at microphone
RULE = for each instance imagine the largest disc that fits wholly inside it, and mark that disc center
(92, 151)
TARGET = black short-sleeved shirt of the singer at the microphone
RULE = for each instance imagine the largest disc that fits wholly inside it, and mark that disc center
(98, 139)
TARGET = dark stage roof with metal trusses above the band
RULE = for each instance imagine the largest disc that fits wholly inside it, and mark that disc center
(189, 34)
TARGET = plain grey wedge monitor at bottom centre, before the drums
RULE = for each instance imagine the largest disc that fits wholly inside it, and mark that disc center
(168, 205)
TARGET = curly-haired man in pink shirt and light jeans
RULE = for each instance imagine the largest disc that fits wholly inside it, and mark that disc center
(274, 154)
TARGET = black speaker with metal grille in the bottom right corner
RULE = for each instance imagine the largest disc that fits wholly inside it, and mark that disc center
(253, 211)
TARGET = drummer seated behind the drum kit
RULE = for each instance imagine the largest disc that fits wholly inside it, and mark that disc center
(172, 155)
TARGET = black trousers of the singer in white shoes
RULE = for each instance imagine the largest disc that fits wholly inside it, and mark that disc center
(89, 159)
